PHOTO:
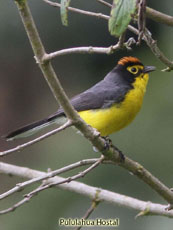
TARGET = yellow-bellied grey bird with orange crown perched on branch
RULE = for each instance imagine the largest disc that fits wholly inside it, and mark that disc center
(108, 106)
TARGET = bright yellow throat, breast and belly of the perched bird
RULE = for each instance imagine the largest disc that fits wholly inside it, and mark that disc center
(110, 120)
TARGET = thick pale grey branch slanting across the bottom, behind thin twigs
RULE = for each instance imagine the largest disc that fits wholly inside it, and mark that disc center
(89, 191)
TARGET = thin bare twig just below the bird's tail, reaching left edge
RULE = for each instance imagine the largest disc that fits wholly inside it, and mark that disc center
(36, 140)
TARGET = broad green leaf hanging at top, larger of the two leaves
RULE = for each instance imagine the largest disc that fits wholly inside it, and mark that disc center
(121, 15)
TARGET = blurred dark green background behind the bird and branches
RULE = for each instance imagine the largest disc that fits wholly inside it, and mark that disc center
(25, 97)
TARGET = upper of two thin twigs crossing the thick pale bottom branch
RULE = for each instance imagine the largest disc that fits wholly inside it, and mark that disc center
(21, 186)
